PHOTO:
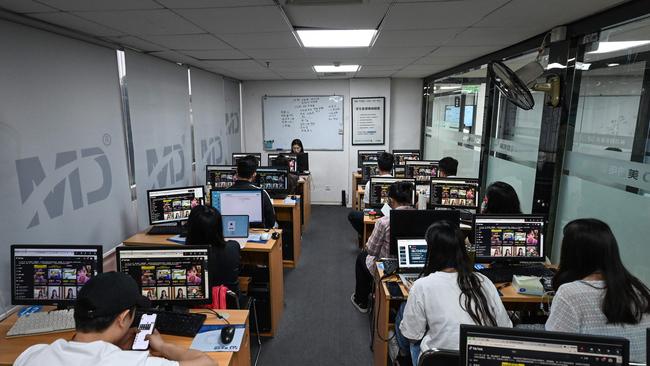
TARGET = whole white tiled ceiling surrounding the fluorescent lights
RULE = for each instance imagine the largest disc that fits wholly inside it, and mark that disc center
(254, 39)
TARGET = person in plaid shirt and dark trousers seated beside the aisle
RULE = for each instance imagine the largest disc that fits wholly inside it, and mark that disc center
(378, 245)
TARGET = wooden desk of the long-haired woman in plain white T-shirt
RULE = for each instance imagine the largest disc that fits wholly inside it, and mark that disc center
(383, 303)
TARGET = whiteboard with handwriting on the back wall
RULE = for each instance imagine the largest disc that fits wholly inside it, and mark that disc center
(316, 120)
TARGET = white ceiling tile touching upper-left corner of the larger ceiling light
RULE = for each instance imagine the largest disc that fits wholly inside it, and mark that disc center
(252, 19)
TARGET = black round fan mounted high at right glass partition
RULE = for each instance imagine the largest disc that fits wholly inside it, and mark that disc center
(515, 84)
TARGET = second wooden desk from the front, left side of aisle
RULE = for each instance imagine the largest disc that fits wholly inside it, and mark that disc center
(267, 255)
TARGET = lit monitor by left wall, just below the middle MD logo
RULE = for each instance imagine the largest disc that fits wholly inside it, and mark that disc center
(173, 204)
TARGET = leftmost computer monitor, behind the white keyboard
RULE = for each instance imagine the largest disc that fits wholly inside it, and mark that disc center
(52, 274)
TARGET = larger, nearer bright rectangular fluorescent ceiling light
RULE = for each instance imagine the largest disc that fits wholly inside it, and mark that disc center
(336, 38)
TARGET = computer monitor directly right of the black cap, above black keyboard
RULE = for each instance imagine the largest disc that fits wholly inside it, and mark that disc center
(170, 275)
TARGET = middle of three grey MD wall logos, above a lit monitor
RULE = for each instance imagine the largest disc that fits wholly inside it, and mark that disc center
(167, 166)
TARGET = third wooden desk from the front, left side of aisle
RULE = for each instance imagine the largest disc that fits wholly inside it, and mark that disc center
(288, 217)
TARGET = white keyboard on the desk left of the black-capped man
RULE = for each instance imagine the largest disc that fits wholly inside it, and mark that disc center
(43, 322)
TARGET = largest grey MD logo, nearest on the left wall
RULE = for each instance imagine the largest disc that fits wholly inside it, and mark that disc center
(32, 175)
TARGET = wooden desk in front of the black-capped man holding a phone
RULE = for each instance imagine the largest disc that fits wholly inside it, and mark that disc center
(11, 348)
